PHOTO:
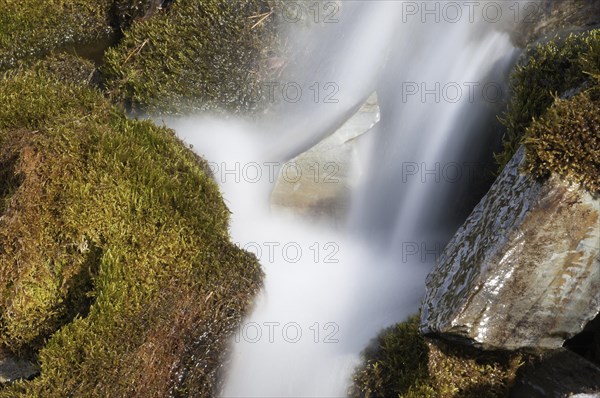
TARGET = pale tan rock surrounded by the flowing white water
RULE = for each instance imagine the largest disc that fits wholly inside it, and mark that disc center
(318, 181)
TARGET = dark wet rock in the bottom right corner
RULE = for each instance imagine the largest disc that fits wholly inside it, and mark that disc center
(557, 374)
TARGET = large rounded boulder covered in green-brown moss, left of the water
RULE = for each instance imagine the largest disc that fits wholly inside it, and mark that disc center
(117, 273)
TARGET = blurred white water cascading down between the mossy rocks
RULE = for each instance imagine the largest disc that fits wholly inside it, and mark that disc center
(328, 291)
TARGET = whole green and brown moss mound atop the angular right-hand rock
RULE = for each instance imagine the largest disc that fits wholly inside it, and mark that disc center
(554, 110)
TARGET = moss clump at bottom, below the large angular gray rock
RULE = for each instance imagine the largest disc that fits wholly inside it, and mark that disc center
(402, 363)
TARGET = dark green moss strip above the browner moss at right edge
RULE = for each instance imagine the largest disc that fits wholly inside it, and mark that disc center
(551, 69)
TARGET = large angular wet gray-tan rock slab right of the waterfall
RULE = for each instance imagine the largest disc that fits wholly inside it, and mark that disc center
(524, 269)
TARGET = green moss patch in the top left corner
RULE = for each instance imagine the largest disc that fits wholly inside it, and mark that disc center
(29, 28)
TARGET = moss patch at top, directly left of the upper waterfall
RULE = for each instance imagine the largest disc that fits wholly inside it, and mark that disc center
(193, 56)
